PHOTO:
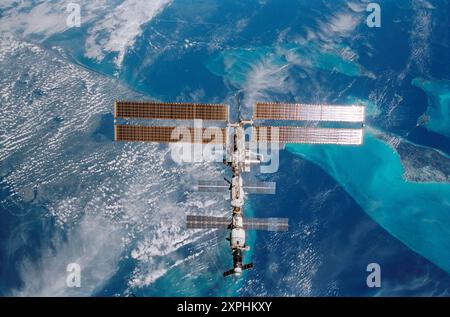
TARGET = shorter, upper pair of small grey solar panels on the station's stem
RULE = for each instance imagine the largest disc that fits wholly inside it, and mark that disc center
(210, 186)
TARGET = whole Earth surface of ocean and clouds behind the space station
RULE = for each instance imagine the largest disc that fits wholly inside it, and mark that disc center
(69, 194)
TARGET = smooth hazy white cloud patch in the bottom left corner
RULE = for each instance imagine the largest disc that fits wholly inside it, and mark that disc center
(96, 251)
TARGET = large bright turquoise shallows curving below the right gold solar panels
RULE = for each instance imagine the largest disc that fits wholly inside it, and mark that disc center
(418, 214)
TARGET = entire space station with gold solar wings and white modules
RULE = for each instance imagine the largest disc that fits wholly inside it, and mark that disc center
(238, 154)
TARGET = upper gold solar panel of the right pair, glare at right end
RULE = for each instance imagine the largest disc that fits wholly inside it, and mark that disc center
(305, 112)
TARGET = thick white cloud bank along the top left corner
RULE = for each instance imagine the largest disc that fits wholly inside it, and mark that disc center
(110, 27)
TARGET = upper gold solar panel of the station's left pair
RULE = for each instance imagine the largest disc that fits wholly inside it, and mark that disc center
(171, 111)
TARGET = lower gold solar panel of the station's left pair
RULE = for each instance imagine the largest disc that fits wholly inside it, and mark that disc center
(134, 133)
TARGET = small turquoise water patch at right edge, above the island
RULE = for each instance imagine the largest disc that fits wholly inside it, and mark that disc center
(438, 109)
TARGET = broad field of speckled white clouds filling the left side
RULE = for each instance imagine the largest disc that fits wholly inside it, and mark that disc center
(77, 175)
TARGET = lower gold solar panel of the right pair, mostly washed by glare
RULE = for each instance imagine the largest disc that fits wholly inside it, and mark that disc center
(308, 135)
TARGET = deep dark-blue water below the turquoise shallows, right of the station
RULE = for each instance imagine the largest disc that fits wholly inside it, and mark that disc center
(330, 242)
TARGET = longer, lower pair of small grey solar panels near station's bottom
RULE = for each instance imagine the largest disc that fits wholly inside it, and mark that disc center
(210, 222)
